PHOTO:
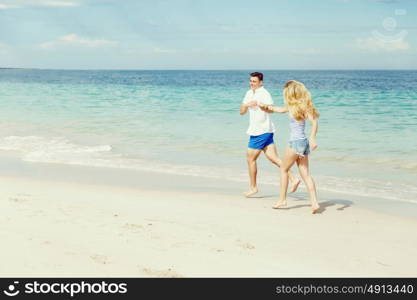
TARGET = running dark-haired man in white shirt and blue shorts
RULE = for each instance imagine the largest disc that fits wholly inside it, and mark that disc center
(261, 131)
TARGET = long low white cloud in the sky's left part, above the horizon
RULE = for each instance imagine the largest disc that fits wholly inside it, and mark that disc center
(75, 40)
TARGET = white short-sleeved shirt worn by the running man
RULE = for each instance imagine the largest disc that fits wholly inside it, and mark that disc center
(259, 121)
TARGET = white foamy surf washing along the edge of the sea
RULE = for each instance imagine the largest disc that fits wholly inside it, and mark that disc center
(61, 150)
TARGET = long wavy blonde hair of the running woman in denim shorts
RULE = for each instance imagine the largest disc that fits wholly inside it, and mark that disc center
(298, 100)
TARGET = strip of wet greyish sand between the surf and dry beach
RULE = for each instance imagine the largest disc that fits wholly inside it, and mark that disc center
(13, 166)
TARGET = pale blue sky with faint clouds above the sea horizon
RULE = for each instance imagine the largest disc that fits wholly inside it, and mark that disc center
(202, 34)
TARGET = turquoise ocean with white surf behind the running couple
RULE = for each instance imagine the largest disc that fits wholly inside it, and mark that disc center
(188, 122)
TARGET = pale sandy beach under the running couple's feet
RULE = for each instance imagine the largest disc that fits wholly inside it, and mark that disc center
(64, 228)
